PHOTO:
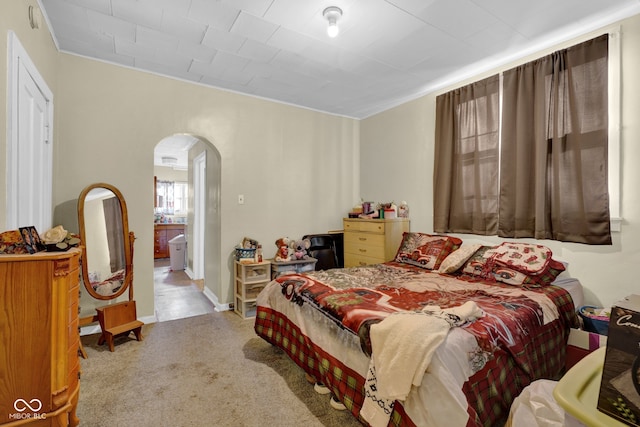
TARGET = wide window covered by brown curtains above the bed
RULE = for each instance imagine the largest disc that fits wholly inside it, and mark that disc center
(552, 157)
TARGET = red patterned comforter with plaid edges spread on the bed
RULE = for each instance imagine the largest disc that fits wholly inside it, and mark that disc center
(521, 337)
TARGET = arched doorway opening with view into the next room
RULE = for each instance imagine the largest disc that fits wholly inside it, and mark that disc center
(184, 293)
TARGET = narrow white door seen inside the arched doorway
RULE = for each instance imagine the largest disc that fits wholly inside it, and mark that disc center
(199, 209)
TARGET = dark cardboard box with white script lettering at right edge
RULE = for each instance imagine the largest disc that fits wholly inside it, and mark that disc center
(620, 386)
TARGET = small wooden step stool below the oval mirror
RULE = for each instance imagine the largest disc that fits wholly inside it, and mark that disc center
(118, 319)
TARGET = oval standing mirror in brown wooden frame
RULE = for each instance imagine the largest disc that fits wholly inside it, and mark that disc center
(107, 269)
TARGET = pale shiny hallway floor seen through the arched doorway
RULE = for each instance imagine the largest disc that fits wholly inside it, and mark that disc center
(176, 295)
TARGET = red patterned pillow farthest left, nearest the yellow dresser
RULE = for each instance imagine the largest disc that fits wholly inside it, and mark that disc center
(425, 250)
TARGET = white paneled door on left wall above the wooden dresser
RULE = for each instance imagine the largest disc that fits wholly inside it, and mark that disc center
(29, 151)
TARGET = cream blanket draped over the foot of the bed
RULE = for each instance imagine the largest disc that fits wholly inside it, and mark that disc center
(402, 346)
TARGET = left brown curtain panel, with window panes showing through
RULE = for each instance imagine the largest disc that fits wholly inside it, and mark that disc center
(465, 181)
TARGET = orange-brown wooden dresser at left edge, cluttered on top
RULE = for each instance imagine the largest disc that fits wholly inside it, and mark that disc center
(39, 339)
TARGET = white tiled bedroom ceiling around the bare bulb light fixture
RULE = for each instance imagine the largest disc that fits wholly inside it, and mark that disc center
(387, 52)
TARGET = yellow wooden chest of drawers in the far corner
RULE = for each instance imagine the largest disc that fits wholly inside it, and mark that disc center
(372, 241)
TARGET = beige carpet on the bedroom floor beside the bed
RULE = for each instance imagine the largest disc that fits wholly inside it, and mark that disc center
(208, 370)
